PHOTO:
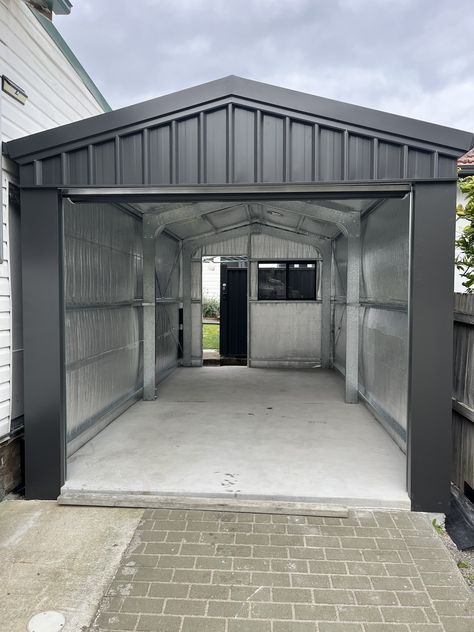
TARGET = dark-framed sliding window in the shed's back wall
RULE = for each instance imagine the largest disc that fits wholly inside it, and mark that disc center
(287, 281)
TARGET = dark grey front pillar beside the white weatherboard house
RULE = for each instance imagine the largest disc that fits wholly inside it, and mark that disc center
(43, 336)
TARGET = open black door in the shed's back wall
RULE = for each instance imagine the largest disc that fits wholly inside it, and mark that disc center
(233, 332)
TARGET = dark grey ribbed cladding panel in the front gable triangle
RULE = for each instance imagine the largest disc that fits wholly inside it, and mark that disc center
(238, 144)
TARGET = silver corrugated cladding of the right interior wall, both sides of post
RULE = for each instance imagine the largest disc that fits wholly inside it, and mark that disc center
(383, 343)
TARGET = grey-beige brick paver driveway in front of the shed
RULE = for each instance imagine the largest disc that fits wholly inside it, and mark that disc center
(192, 571)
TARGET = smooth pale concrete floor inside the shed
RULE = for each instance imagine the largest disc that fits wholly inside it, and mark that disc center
(246, 433)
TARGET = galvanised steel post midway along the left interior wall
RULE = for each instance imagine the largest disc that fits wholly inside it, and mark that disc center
(149, 308)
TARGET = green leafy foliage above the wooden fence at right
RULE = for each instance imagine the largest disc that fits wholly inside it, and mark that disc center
(465, 243)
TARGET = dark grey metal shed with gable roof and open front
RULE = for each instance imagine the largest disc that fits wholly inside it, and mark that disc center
(118, 210)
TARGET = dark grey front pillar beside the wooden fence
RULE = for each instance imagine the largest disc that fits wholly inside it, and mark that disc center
(431, 299)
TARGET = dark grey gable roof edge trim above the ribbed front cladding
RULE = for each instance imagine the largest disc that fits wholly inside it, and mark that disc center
(449, 141)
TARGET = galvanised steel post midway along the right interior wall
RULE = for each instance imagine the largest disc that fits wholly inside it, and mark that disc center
(352, 314)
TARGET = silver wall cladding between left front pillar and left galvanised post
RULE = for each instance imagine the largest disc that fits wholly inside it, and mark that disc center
(103, 325)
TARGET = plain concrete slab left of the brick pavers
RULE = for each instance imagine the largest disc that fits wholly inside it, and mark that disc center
(58, 558)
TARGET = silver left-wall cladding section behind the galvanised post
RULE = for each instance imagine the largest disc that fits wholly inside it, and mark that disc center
(167, 266)
